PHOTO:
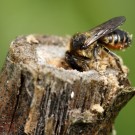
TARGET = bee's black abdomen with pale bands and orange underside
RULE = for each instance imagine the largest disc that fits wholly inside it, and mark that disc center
(117, 39)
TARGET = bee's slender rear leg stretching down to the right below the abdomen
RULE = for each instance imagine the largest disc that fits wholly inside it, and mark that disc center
(115, 56)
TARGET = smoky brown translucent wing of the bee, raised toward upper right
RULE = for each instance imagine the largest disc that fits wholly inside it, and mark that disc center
(104, 29)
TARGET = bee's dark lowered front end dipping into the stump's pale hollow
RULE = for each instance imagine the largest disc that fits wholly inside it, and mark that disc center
(76, 62)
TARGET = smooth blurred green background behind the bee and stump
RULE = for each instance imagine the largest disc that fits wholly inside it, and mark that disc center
(21, 17)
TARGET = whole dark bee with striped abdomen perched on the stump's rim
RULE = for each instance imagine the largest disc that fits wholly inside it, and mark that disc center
(88, 45)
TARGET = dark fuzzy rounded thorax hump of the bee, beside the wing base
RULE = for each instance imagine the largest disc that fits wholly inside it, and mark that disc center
(77, 41)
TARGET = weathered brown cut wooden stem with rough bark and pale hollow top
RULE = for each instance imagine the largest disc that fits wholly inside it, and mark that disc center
(41, 95)
